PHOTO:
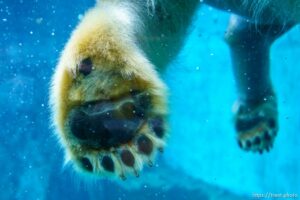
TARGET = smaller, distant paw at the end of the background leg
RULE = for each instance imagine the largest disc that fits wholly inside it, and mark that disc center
(256, 125)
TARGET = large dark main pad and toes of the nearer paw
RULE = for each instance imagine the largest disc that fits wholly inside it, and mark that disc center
(116, 138)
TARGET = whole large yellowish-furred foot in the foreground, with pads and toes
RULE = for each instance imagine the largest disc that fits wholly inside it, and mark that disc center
(108, 103)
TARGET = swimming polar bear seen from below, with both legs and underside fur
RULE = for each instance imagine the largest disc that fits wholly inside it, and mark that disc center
(108, 102)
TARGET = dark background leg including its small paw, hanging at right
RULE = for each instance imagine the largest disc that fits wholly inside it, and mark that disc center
(256, 108)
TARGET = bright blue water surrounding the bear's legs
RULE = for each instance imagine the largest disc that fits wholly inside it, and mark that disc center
(202, 159)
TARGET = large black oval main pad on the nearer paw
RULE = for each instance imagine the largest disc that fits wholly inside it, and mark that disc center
(102, 125)
